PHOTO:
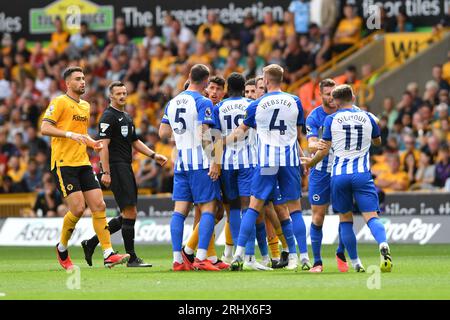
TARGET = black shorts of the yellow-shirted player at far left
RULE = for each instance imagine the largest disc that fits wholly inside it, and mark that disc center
(73, 179)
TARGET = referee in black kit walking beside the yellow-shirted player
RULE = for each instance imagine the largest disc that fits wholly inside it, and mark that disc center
(117, 132)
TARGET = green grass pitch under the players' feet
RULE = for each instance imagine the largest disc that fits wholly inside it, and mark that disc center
(420, 272)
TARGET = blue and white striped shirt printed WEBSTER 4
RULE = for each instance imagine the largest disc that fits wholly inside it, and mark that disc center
(276, 116)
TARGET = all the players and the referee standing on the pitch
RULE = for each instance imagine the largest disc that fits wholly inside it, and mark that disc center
(240, 156)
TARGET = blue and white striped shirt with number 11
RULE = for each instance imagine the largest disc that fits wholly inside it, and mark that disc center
(351, 132)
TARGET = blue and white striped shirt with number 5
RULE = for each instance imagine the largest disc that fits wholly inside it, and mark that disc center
(185, 114)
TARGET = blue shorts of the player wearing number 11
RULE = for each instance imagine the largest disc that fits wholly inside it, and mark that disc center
(358, 186)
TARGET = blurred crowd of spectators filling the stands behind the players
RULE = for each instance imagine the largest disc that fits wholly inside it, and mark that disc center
(415, 125)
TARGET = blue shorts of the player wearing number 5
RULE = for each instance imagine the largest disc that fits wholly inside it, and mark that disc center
(195, 186)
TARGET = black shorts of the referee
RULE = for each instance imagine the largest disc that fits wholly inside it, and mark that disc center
(123, 185)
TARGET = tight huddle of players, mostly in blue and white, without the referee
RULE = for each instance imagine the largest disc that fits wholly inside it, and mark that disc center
(242, 156)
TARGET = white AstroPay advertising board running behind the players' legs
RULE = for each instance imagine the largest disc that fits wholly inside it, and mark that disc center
(156, 231)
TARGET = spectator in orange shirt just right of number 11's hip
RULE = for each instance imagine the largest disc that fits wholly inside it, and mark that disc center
(394, 179)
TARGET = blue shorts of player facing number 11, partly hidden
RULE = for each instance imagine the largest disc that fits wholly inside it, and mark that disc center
(319, 187)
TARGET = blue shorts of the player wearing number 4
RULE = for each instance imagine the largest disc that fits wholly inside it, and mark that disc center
(266, 181)
